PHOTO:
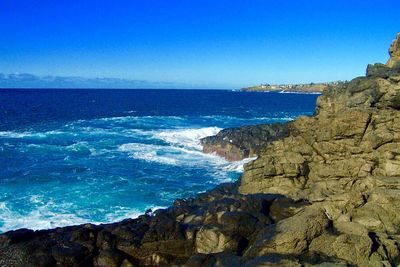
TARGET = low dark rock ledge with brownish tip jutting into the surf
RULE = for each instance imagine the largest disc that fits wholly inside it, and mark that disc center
(243, 142)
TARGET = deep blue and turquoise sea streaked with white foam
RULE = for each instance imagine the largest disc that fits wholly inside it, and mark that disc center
(77, 156)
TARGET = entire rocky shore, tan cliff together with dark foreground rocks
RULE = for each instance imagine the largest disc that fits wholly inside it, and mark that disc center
(326, 194)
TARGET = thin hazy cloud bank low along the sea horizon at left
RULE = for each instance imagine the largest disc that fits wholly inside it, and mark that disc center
(26, 80)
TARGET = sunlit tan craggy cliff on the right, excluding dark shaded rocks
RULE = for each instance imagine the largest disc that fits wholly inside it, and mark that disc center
(346, 162)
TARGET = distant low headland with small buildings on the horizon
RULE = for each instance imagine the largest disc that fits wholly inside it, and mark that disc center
(301, 88)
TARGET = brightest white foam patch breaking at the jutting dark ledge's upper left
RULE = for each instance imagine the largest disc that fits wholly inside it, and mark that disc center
(189, 138)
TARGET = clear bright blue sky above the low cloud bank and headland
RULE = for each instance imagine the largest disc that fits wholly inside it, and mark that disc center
(197, 43)
